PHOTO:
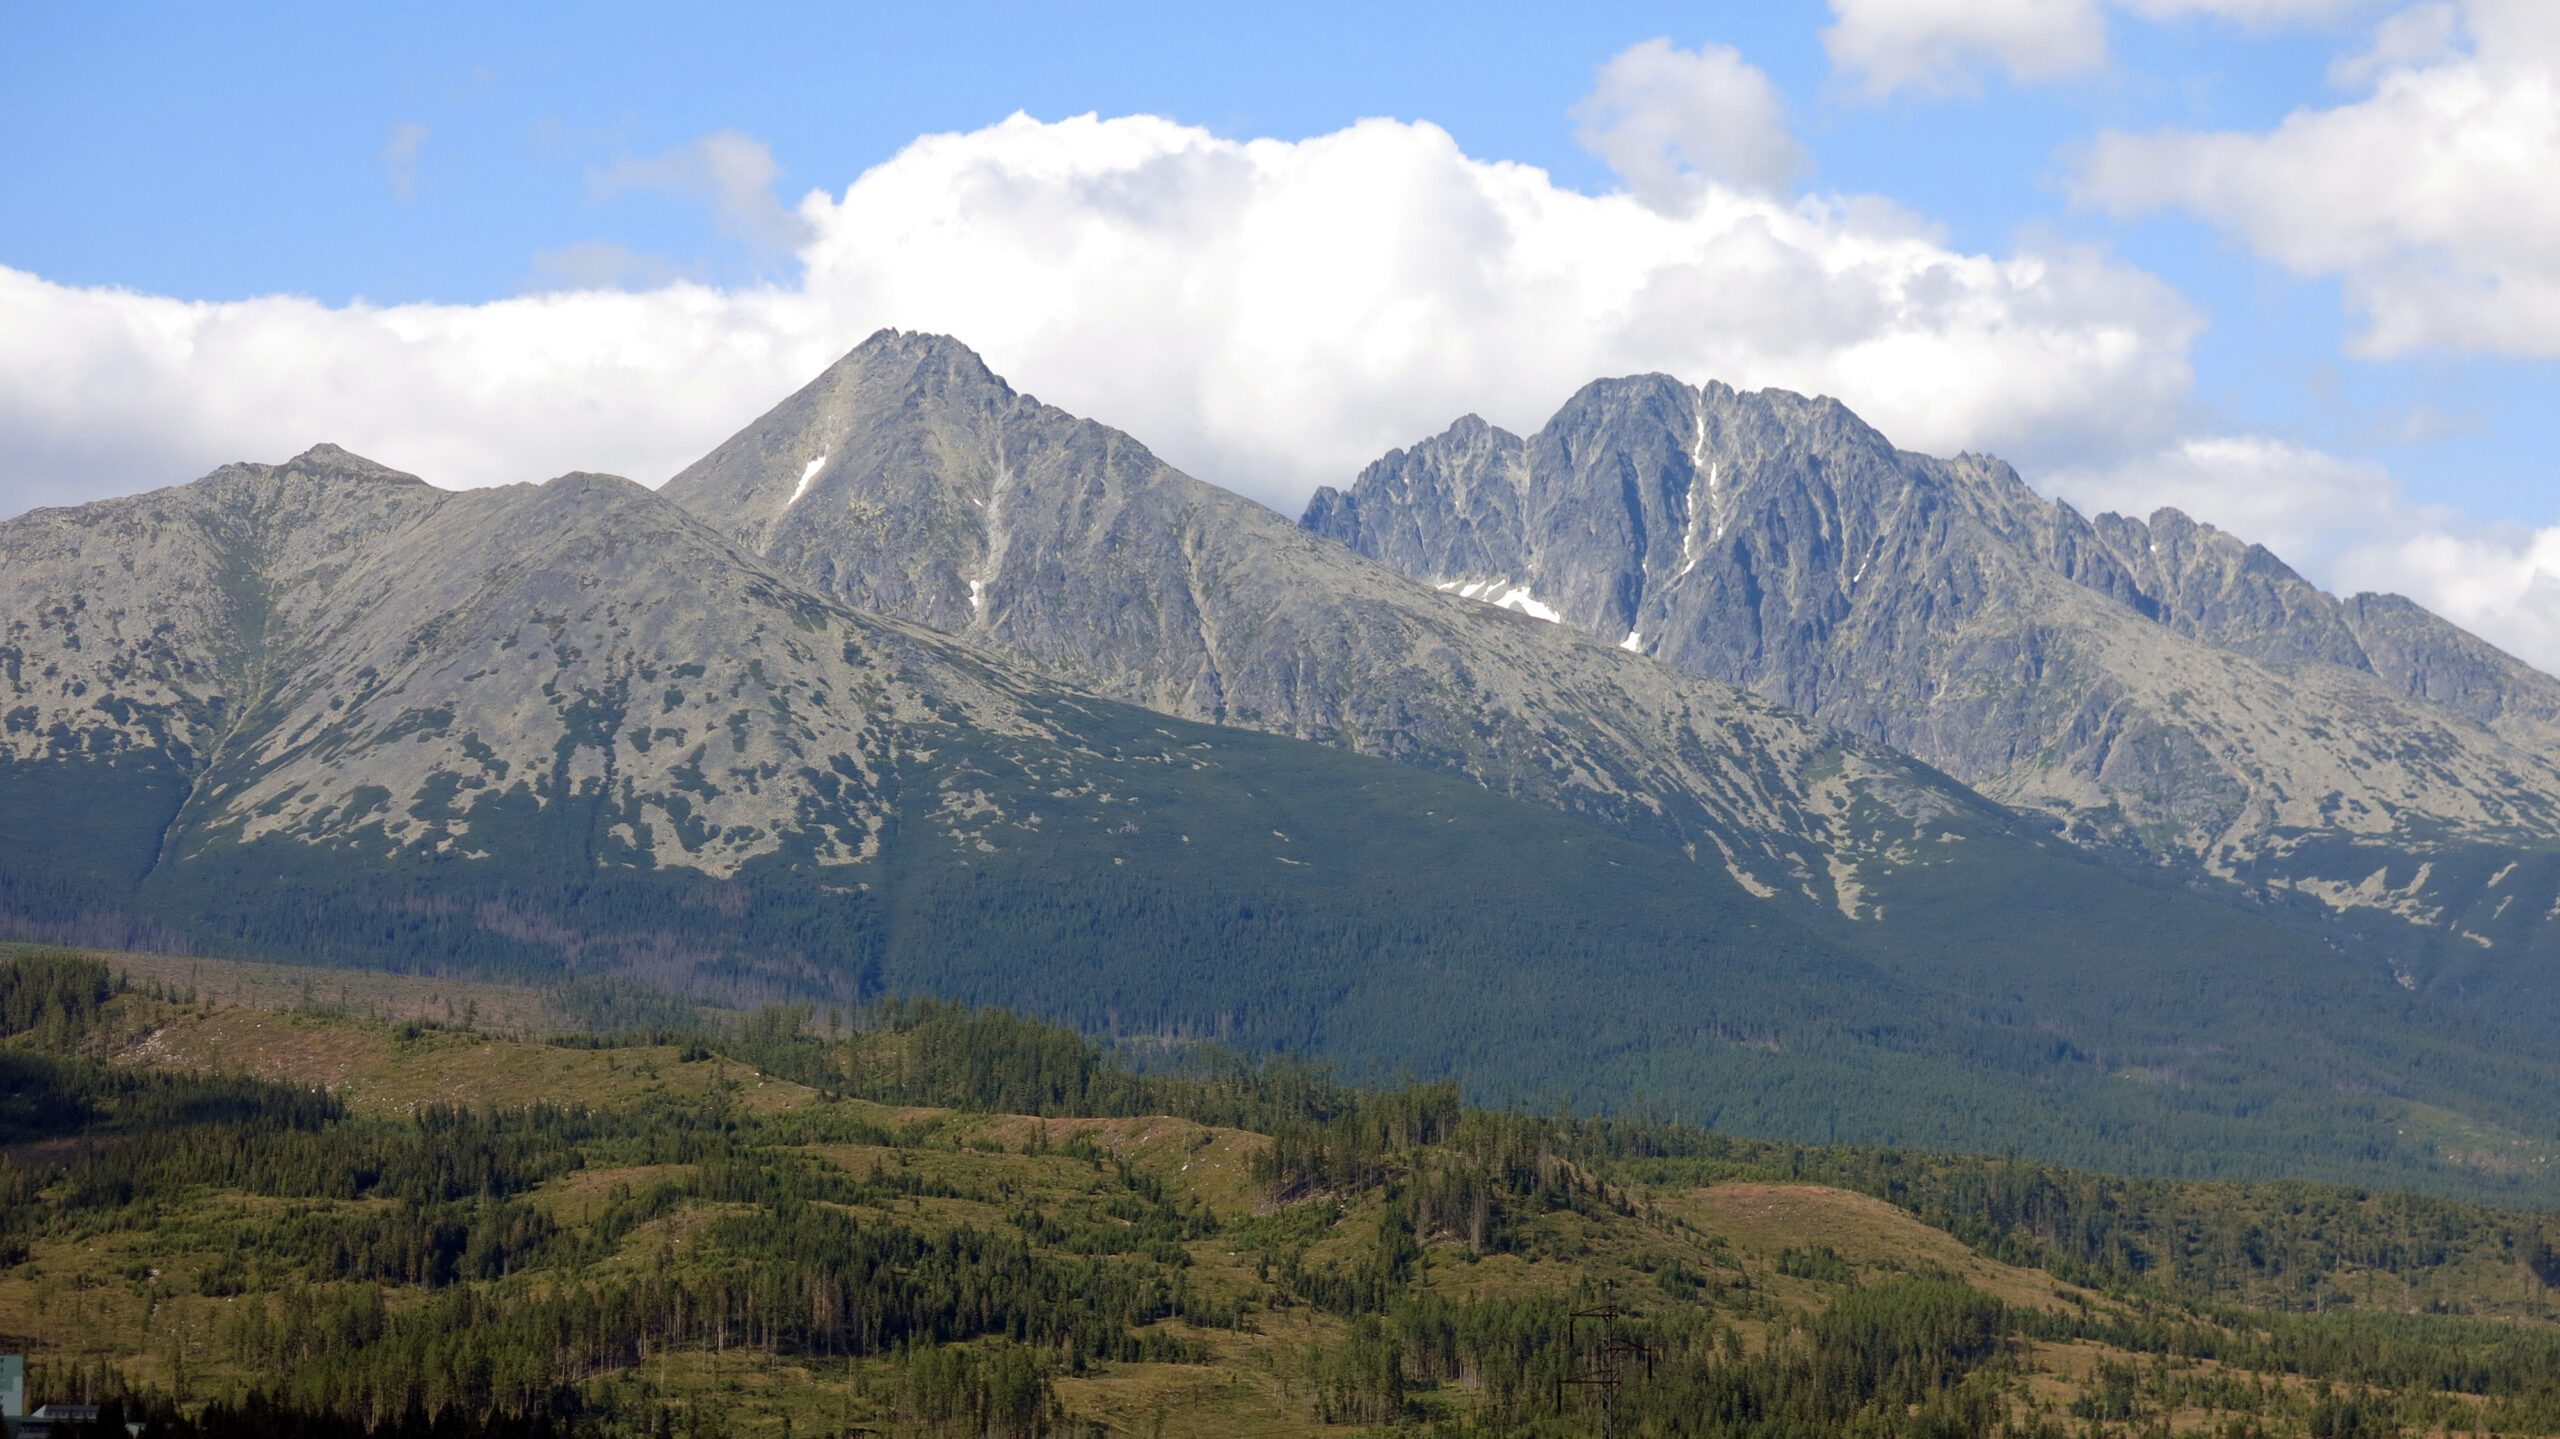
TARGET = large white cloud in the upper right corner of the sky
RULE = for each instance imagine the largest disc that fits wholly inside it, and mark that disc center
(2431, 198)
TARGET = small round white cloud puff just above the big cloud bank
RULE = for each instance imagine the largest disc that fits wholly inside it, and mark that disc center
(1673, 122)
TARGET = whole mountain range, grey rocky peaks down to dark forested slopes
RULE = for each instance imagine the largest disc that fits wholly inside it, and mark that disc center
(1701, 749)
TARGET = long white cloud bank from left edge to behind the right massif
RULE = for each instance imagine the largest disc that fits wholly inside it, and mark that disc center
(1266, 314)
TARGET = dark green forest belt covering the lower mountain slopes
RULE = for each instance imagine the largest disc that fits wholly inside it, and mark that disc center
(2024, 1000)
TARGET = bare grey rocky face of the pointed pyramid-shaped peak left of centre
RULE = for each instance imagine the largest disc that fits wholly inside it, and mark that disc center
(915, 483)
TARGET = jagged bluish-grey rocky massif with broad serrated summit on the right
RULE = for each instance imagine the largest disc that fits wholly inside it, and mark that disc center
(2157, 685)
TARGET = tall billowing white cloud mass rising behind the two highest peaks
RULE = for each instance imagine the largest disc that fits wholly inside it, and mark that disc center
(1279, 314)
